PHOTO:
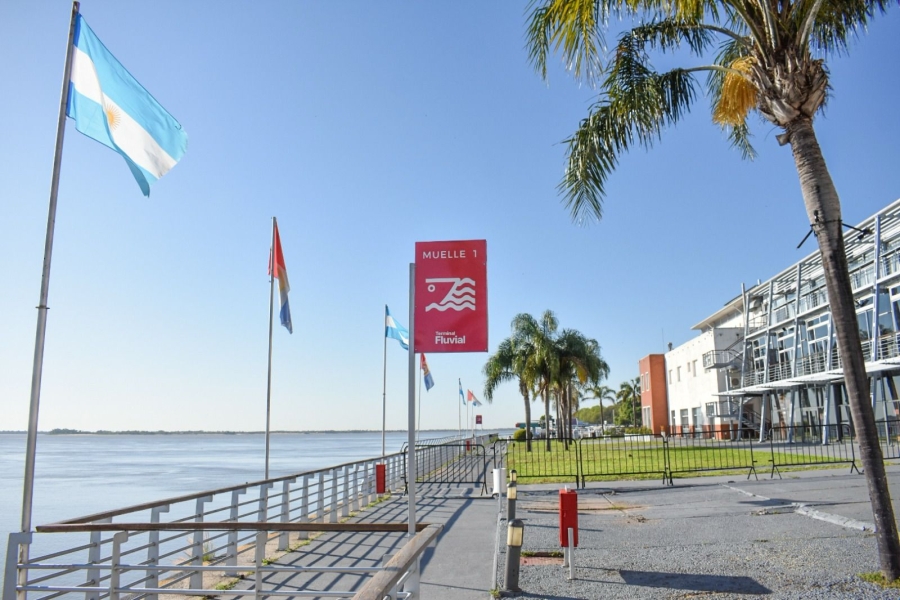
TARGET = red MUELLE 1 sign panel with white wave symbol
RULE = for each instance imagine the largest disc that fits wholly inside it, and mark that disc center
(451, 296)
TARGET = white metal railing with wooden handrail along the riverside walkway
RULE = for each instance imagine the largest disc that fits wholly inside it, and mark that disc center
(189, 544)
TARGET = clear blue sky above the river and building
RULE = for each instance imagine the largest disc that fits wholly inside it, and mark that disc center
(365, 127)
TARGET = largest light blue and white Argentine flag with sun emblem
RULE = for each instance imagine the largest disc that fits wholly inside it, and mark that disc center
(110, 106)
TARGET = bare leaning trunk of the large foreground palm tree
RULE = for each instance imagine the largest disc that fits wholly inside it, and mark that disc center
(824, 211)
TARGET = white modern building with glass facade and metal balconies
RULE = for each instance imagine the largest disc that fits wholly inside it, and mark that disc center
(769, 357)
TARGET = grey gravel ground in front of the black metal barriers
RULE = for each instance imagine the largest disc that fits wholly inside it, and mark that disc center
(697, 541)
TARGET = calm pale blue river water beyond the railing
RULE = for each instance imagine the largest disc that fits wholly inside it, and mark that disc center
(82, 474)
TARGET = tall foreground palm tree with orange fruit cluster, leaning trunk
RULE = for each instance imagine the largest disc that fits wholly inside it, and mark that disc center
(770, 62)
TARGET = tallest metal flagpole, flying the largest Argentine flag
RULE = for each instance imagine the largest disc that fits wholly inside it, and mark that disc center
(41, 330)
